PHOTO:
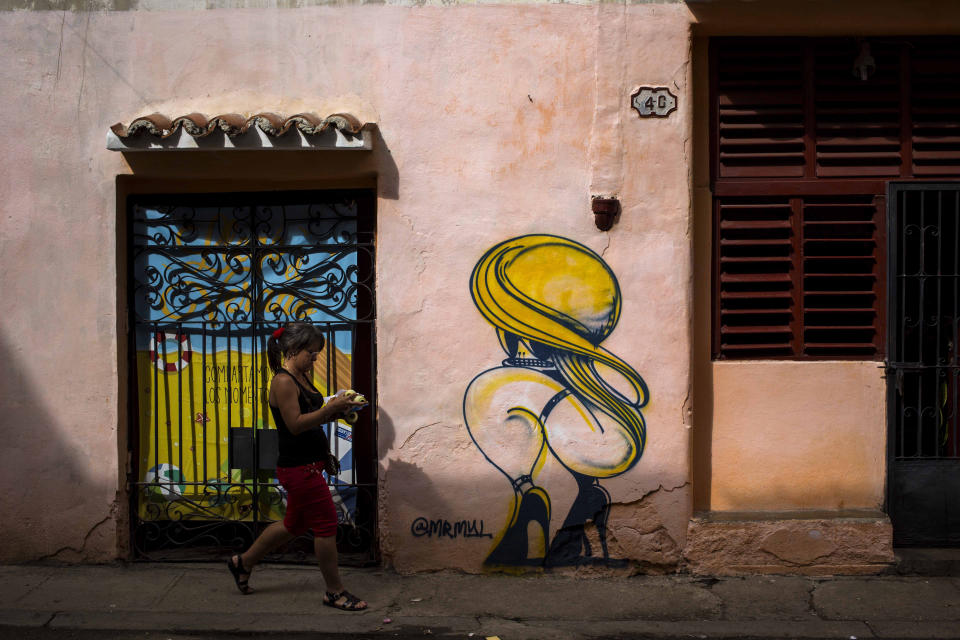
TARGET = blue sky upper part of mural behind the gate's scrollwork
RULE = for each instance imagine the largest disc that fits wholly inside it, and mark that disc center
(205, 267)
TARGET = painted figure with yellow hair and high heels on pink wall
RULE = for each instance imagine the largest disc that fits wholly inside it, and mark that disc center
(558, 395)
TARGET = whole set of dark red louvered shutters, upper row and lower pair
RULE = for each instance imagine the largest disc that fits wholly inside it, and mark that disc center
(802, 150)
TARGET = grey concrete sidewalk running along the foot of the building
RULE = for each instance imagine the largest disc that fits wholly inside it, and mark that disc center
(201, 598)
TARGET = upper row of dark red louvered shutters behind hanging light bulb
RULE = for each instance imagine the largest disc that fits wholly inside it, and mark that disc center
(794, 108)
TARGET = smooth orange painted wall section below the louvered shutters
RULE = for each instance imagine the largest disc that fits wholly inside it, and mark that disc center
(798, 435)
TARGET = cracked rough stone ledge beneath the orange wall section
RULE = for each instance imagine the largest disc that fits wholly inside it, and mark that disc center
(798, 543)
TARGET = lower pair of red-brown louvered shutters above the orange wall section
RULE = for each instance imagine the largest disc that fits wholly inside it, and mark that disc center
(798, 276)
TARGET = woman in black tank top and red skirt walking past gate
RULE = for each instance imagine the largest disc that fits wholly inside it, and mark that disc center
(300, 413)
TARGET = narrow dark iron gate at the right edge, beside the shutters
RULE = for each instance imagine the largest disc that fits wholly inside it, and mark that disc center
(923, 363)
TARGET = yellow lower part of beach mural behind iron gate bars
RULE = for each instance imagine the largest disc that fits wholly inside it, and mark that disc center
(195, 392)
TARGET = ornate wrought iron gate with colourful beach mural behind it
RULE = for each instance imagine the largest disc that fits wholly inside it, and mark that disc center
(211, 276)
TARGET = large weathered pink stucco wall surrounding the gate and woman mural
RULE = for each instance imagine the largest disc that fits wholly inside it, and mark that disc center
(499, 121)
